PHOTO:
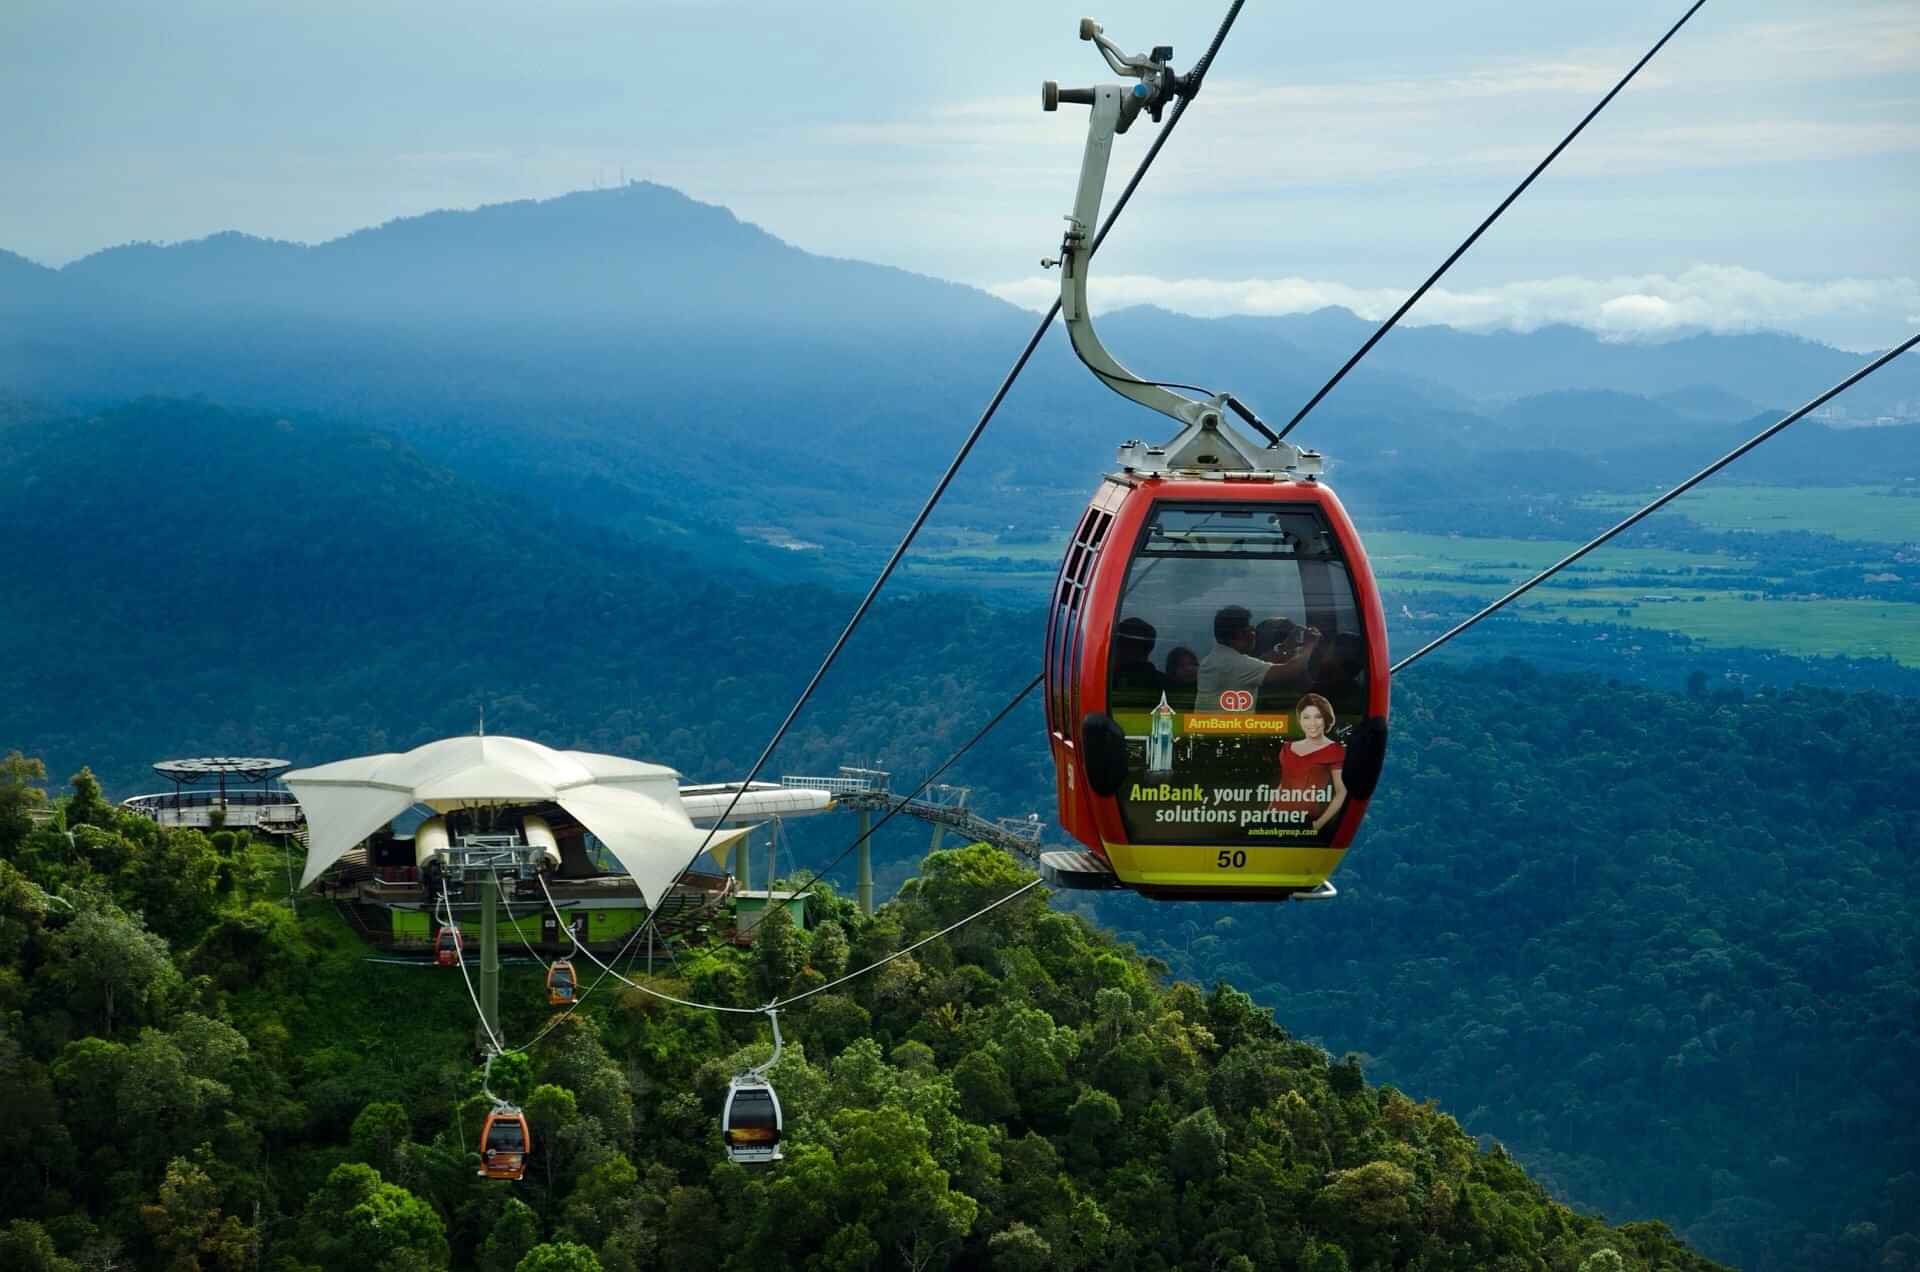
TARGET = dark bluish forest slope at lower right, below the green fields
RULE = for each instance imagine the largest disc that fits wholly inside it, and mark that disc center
(1662, 944)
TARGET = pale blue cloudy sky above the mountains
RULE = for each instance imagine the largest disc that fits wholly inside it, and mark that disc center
(1762, 174)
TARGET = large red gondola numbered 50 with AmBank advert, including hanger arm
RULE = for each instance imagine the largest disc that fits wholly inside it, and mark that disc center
(1216, 648)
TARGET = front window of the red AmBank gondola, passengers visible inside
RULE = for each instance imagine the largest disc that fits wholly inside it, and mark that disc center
(1237, 670)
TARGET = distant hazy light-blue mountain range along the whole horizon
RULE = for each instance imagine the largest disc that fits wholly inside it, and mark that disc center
(638, 358)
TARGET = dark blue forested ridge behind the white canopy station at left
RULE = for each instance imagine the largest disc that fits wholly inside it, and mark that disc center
(187, 577)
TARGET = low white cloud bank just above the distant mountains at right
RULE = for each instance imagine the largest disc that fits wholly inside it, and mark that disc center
(1725, 299)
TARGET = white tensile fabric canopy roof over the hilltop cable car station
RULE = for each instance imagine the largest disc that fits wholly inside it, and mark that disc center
(633, 808)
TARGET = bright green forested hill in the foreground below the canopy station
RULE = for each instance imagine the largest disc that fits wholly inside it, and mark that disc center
(199, 1079)
